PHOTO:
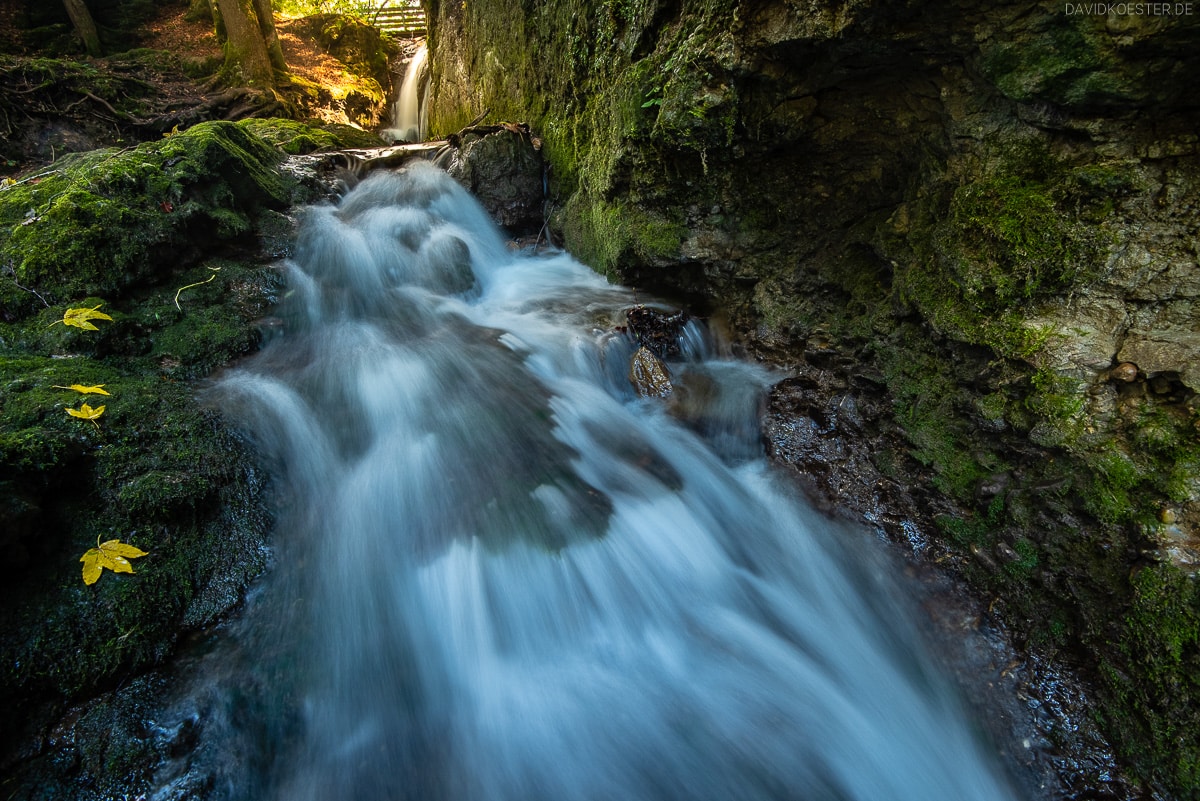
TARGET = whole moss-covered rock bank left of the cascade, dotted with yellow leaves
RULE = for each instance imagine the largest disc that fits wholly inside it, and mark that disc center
(173, 240)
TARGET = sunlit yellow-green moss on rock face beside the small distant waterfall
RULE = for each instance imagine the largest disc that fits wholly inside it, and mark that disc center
(611, 88)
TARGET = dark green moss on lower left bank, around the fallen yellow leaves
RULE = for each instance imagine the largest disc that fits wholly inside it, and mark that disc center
(157, 471)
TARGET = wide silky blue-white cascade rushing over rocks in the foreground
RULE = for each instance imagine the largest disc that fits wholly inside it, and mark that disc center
(503, 576)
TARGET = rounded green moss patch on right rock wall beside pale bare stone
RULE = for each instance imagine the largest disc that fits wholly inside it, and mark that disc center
(979, 257)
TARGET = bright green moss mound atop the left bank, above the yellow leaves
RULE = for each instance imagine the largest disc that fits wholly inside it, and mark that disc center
(101, 222)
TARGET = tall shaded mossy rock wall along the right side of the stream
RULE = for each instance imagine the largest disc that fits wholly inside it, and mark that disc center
(975, 222)
